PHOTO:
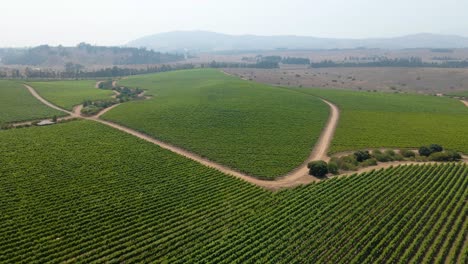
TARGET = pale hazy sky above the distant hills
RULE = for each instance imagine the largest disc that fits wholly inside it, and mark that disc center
(115, 22)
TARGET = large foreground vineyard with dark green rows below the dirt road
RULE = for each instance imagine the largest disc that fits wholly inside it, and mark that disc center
(83, 192)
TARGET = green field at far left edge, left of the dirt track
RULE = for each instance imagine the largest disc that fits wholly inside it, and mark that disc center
(17, 104)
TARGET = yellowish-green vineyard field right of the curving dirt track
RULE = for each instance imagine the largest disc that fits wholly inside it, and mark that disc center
(370, 120)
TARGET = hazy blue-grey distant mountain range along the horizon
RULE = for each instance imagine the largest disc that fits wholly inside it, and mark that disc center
(210, 41)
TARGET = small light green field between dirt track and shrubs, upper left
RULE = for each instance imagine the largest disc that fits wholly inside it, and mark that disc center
(67, 94)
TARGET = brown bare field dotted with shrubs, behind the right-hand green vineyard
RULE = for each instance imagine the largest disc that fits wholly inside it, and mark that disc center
(388, 79)
